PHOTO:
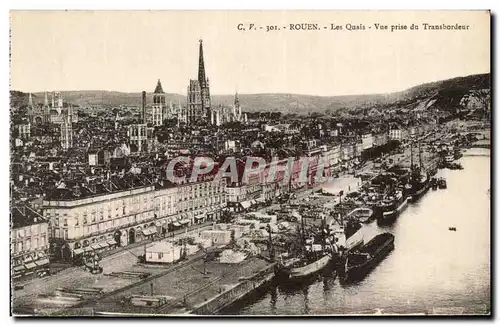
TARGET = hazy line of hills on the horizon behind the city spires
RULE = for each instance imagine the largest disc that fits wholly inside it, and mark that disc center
(441, 93)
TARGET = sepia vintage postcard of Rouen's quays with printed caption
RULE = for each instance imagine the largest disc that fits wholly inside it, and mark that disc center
(250, 163)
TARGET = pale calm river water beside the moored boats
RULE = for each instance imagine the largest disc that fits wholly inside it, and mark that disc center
(431, 270)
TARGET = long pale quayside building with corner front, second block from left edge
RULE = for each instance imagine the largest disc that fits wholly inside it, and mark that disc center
(96, 217)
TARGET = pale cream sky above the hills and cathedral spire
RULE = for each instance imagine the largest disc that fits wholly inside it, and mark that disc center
(130, 50)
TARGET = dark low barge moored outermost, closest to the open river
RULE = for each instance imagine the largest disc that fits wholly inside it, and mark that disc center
(358, 264)
